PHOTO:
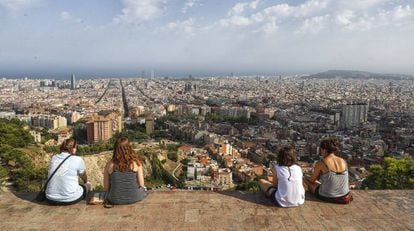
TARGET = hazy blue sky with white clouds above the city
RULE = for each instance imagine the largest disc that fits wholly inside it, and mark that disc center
(51, 38)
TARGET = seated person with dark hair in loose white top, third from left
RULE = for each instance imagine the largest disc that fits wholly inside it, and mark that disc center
(286, 188)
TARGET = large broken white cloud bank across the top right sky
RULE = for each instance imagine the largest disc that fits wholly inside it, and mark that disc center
(312, 16)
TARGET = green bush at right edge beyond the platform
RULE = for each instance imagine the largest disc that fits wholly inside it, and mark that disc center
(394, 174)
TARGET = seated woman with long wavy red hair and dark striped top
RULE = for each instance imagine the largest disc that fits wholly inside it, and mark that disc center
(123, 175)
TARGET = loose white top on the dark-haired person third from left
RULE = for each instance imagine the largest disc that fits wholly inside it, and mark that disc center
(290, 191)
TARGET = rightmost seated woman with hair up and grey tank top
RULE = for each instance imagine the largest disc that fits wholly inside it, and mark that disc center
(329, 180)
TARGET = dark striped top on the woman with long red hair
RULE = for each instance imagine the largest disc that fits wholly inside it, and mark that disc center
(124, 188)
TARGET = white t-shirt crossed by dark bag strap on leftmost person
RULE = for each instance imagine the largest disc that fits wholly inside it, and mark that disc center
(64, 185)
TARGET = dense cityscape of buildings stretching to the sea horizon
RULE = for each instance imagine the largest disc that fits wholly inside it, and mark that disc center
(221, 132)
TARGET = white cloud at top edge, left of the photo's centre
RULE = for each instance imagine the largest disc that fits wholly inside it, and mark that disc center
(137, 11)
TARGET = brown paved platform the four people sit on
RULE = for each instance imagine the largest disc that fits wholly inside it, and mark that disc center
(203, 210)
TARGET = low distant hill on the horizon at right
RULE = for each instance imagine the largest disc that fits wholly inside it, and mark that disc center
(346, 74)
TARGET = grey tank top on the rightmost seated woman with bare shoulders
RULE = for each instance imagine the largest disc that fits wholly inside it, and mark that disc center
(334, 184)
